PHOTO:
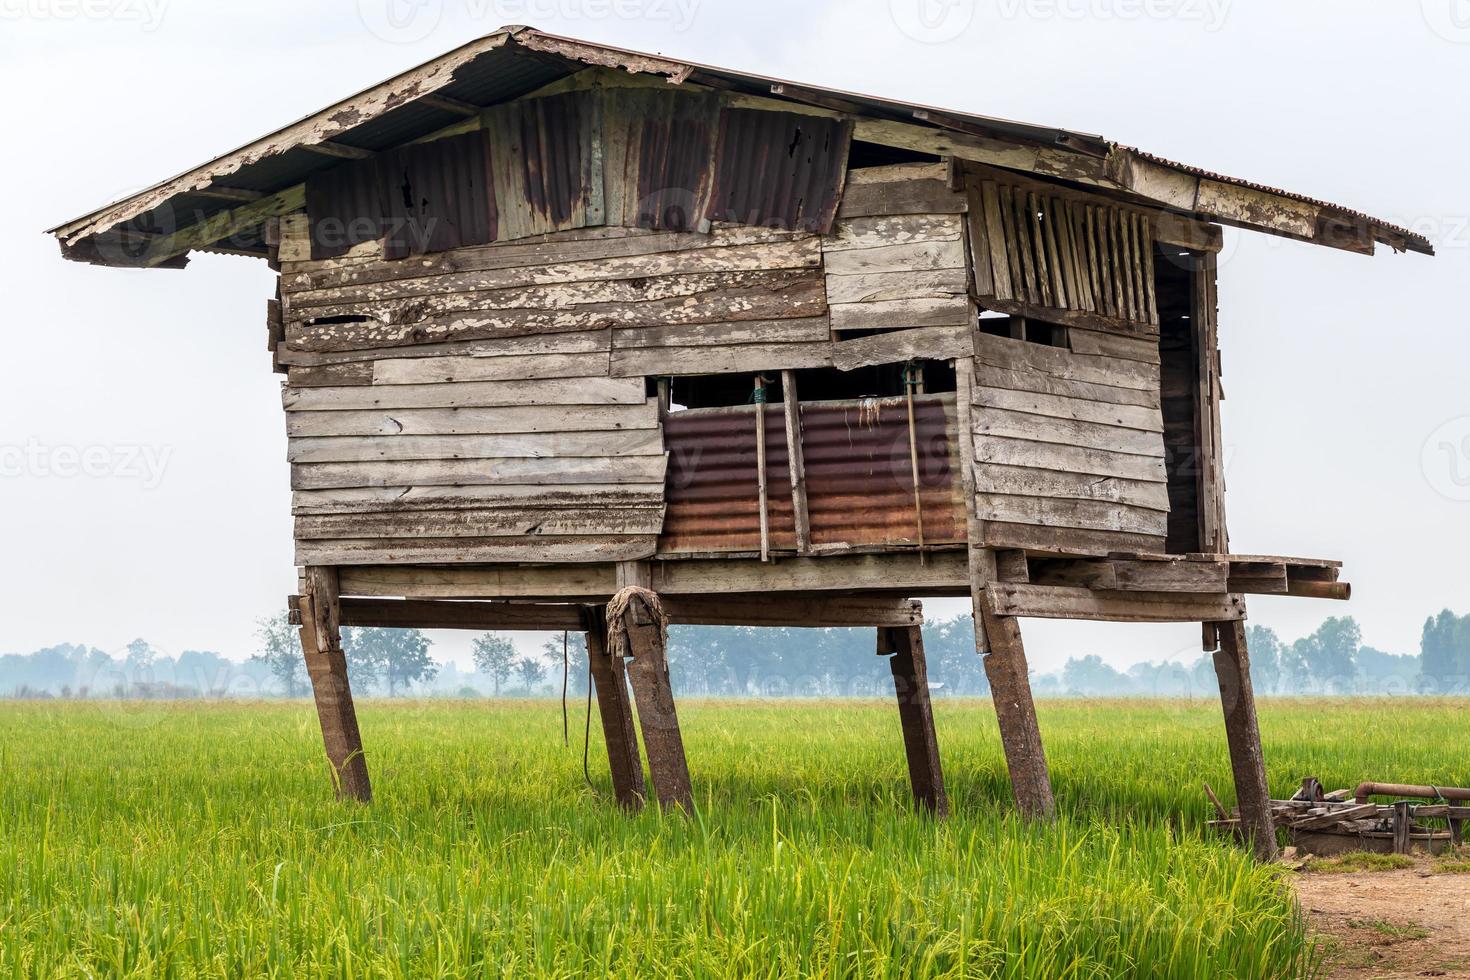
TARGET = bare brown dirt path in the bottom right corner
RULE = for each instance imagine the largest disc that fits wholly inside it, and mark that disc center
(1403, 923)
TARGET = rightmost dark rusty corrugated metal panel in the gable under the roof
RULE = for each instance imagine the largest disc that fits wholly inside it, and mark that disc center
(780, 170)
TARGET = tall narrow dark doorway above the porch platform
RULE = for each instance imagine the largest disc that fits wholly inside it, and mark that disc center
(1175, 274)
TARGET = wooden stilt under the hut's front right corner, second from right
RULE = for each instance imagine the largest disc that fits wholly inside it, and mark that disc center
(1017, 713)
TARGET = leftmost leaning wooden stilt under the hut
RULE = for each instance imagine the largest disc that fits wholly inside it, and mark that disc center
(327, 668)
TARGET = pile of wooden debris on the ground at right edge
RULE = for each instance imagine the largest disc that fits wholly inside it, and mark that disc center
(1346, 821)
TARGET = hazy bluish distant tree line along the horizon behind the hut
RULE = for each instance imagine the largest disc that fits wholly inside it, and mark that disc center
(736, 662)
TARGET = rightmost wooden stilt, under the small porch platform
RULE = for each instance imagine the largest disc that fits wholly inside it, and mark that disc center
(1233, 668)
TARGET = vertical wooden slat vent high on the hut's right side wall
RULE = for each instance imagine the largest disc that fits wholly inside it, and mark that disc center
(1040, 249)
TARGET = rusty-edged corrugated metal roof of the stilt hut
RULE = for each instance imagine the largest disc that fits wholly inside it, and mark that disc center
(517, 61)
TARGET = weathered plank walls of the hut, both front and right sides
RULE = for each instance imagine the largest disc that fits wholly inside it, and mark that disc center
(489, 403)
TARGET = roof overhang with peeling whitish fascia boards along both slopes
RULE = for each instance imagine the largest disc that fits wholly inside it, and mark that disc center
(1049, 154)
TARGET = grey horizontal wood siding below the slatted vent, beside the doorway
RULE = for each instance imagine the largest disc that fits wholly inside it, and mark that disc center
(1069, 449)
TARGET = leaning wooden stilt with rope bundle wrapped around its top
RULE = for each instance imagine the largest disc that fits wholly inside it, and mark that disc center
(649, 675)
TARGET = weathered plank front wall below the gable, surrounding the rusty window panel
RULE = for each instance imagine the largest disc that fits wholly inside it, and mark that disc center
(489, 403)
